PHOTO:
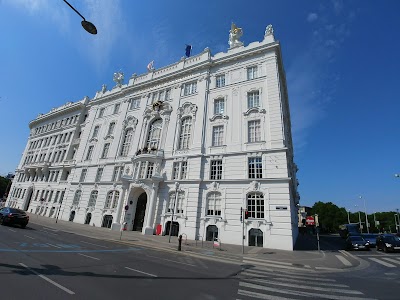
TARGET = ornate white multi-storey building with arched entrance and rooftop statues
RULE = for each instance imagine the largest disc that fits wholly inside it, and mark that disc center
(199, 139)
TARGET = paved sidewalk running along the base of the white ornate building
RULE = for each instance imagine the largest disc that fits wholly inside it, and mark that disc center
(305, 258)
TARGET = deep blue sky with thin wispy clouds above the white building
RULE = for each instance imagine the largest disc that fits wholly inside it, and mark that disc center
(341, 60)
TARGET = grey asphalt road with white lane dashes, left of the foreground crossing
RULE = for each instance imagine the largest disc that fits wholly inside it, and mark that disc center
(43, 263)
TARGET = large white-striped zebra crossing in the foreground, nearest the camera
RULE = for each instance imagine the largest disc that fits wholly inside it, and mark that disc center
(268, 280)
